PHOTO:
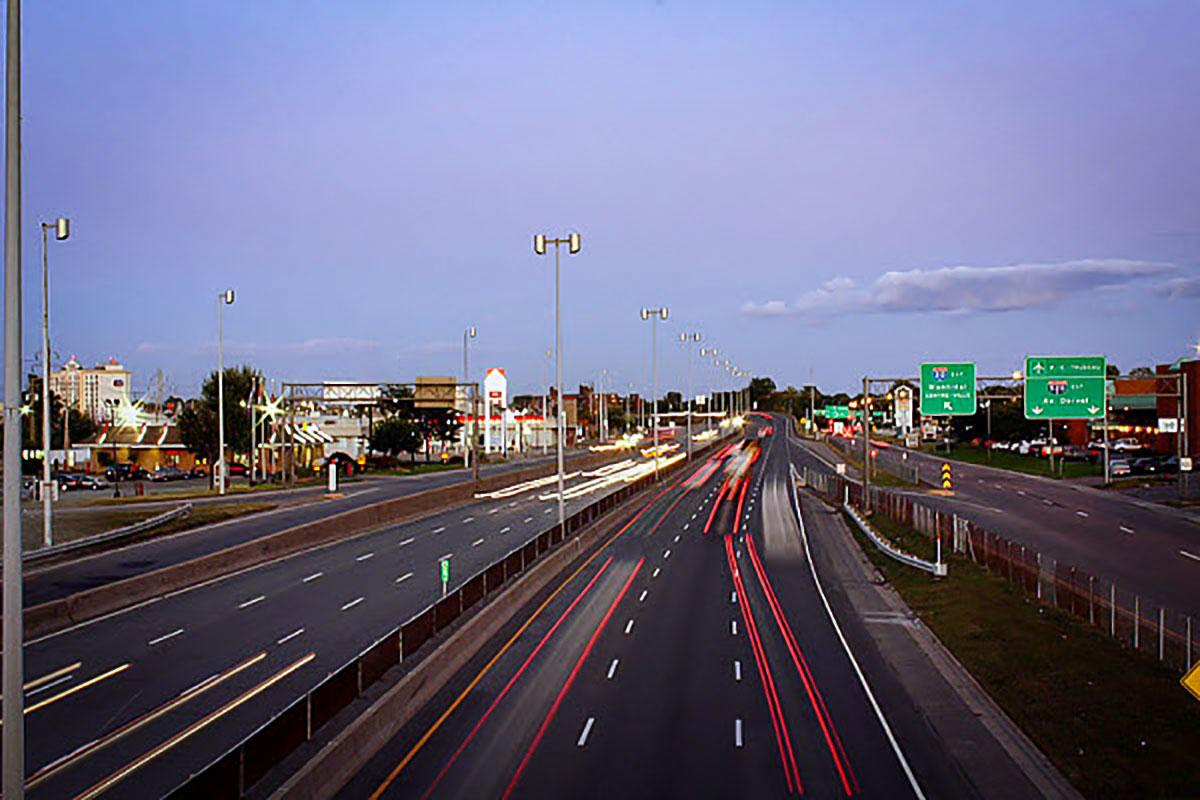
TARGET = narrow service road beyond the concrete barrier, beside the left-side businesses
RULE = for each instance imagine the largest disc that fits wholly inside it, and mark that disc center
(45, 585)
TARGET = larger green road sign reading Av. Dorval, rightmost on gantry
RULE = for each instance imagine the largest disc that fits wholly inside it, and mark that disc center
(1065, 388)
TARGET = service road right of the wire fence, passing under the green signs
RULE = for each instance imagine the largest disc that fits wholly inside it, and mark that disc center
(1144, 548)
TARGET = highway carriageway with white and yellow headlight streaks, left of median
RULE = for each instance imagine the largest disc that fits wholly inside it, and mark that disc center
(130, 705)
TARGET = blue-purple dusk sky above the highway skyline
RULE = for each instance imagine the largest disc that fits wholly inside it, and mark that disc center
(833, 190)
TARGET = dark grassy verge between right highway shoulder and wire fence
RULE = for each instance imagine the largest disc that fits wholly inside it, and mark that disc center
(1117, 724)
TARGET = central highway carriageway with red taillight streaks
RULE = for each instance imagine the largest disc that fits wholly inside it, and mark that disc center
(691, 655)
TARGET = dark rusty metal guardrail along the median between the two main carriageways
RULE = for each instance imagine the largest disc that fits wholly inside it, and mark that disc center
(248, 762)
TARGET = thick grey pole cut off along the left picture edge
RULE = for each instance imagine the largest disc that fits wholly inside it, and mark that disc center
(14, 623)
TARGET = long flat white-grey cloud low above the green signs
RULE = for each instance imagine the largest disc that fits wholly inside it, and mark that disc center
(964, 290)
